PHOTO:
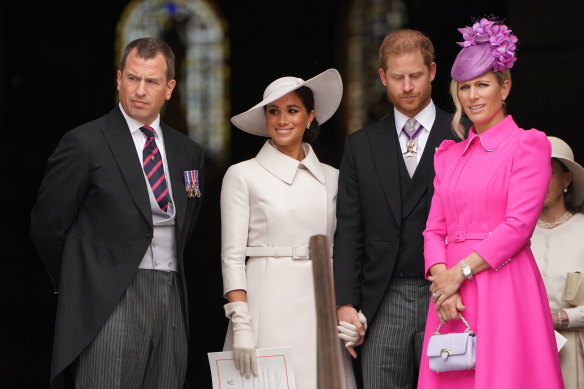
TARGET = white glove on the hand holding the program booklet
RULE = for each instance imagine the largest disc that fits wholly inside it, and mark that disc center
(244, 353)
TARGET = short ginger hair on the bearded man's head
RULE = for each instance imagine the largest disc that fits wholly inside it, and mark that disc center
(406, 41)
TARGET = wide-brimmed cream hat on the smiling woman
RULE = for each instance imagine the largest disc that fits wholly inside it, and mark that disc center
(327, 88)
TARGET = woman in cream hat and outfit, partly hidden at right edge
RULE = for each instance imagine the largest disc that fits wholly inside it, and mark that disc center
(558, 248)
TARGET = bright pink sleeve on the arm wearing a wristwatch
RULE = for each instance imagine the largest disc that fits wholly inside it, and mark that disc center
(528, 185)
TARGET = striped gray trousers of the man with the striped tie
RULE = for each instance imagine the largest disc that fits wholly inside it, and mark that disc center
(143, 344)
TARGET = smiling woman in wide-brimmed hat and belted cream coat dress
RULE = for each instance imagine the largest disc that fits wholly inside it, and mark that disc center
(270, 207)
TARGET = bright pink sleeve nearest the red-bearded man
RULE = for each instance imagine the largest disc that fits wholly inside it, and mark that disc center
(435, 232)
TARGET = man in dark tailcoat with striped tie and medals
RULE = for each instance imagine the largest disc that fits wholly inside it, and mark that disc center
(118, 203)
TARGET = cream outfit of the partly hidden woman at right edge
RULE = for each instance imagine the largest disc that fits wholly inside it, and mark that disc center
(558, 251)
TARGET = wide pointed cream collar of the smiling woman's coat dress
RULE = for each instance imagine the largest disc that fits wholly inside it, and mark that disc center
(285, 167)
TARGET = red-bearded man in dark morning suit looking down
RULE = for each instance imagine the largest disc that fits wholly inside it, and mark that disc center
(385, 189)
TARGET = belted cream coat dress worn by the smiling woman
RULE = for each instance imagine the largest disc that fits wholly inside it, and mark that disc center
(272, 201)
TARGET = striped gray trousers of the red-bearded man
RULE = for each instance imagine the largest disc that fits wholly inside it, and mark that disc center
(390, 355)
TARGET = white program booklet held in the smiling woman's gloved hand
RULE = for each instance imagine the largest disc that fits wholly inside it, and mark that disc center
(275, 370)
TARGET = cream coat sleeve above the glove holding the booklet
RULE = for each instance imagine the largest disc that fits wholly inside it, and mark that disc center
(235, 210)
